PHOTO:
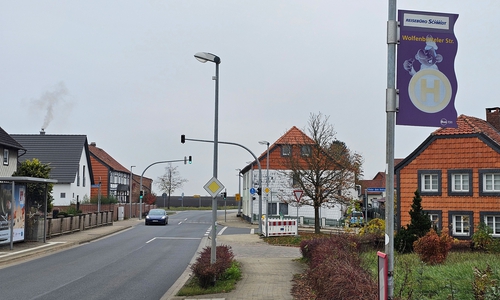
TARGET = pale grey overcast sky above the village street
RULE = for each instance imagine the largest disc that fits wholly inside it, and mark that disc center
(123, 73)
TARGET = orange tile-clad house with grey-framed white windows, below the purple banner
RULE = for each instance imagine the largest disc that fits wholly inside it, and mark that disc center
(457, 172)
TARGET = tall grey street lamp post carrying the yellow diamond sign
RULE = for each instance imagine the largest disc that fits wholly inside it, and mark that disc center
(204, 57)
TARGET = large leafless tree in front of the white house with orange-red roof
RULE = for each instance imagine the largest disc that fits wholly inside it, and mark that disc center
(324, 168)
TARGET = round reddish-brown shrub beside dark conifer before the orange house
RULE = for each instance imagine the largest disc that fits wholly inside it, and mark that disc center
(432, 248)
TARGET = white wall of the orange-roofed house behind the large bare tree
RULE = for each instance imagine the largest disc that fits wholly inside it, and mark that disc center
(281, 198)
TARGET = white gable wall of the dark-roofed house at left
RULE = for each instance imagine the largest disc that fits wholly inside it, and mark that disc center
(68, 193)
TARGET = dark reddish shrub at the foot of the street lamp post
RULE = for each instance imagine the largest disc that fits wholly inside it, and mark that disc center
(208, 273)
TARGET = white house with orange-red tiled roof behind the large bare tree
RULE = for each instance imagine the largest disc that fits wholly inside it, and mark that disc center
(280, 199)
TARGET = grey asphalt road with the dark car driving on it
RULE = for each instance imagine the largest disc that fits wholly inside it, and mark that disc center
(140, 263)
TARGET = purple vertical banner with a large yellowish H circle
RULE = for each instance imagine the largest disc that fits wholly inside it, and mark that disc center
(425, 69)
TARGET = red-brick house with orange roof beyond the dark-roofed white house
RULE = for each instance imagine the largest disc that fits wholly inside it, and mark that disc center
(114, 178)
